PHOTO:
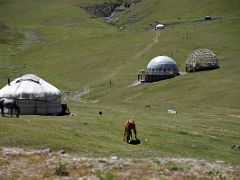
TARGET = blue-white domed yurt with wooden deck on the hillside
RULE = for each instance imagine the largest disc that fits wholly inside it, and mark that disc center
(159, 68)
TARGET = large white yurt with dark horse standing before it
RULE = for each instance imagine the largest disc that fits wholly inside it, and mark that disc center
(33, 95)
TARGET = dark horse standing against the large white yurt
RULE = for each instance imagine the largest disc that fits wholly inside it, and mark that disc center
(9, 104)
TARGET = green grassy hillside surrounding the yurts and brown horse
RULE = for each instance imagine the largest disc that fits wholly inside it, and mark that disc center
(61, 42)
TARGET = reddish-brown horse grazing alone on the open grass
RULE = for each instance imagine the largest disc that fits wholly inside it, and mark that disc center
(129, 126)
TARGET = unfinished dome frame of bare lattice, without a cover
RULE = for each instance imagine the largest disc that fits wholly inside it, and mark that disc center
(200, 60)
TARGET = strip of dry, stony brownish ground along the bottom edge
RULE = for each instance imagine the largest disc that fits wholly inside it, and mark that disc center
(43, 164)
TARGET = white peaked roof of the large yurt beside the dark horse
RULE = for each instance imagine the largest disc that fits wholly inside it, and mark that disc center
(31, 87)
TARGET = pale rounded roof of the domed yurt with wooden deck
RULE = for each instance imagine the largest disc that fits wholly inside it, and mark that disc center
(160, 61)
